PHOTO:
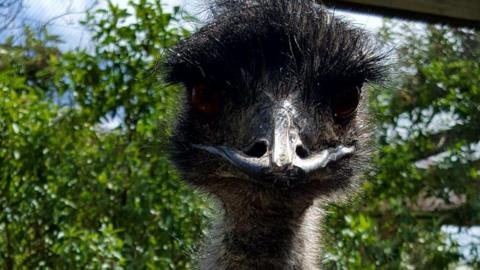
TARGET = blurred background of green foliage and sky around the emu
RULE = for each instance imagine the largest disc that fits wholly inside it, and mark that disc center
(85, 184)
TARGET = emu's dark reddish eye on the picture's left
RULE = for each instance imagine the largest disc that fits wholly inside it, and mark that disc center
(205, 100)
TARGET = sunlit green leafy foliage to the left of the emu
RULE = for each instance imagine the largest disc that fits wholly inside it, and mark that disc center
(74, 195)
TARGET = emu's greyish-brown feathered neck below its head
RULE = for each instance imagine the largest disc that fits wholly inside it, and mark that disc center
(261, 234)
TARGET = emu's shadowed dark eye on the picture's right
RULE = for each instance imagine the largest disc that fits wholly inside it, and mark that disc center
(344, 105)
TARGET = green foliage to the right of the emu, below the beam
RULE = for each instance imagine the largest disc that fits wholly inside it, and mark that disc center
(428, 172)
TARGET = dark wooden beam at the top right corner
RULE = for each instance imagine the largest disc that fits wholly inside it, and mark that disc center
(455, 12)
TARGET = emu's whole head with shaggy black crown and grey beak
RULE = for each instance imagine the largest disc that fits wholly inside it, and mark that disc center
(273, 99)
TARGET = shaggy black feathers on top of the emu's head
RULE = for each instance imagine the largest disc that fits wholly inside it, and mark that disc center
(247, 39)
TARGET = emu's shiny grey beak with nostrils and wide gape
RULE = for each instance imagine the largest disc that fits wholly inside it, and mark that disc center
(281, 159)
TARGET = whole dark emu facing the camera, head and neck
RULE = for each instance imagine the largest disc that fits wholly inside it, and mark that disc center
(273, 124)
